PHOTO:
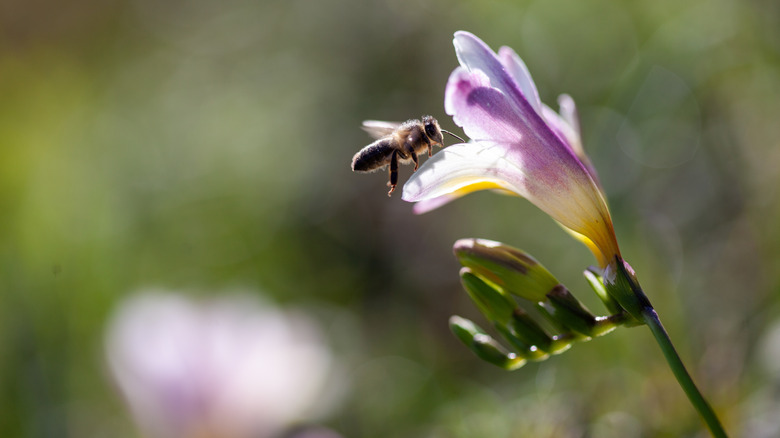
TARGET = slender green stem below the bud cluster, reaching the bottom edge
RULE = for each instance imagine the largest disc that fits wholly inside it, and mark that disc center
(678, 368)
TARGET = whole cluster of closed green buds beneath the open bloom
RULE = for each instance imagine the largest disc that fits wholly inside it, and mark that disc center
(527, 306)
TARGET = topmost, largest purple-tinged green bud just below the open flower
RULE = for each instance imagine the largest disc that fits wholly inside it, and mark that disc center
(509, 269)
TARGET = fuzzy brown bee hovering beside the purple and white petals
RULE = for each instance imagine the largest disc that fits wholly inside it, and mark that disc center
(398, 143)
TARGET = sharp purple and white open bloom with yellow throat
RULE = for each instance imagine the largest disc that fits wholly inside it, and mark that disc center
(519, 146)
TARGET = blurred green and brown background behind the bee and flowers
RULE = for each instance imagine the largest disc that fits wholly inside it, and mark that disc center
(204, 146)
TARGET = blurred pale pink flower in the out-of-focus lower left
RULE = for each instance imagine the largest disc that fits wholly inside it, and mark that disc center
(227, 367)
